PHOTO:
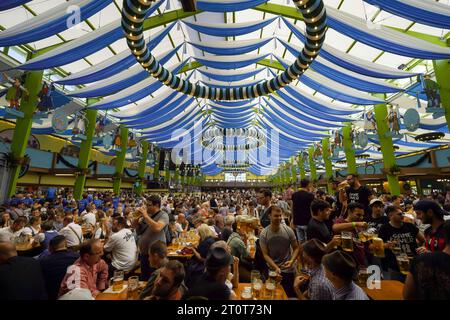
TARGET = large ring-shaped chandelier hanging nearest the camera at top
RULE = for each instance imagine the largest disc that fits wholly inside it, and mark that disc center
(314, 15)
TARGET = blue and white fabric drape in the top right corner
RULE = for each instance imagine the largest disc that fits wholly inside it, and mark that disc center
(427, 12)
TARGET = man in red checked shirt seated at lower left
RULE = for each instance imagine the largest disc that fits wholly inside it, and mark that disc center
(89, 271)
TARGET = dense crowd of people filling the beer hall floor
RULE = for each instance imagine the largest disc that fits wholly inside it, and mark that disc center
(76, 247)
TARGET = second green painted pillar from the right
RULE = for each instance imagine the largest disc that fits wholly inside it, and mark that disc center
(386, 144)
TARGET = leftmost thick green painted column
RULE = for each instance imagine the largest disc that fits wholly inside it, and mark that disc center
(33, 84)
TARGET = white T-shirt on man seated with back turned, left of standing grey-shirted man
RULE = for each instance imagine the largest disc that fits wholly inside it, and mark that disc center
(123, 247)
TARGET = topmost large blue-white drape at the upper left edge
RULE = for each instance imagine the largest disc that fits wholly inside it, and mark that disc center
(49, 22)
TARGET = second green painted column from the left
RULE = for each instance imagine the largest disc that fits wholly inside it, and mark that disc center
(85, 152)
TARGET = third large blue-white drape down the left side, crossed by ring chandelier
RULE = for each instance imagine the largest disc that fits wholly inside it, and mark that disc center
(115, 64)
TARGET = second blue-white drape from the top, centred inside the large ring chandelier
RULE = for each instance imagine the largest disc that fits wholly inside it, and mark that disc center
(228, 29)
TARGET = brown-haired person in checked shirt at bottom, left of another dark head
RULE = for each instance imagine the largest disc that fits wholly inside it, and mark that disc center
(319, 287)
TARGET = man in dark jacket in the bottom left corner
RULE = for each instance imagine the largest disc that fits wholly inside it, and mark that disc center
(20, 277)
